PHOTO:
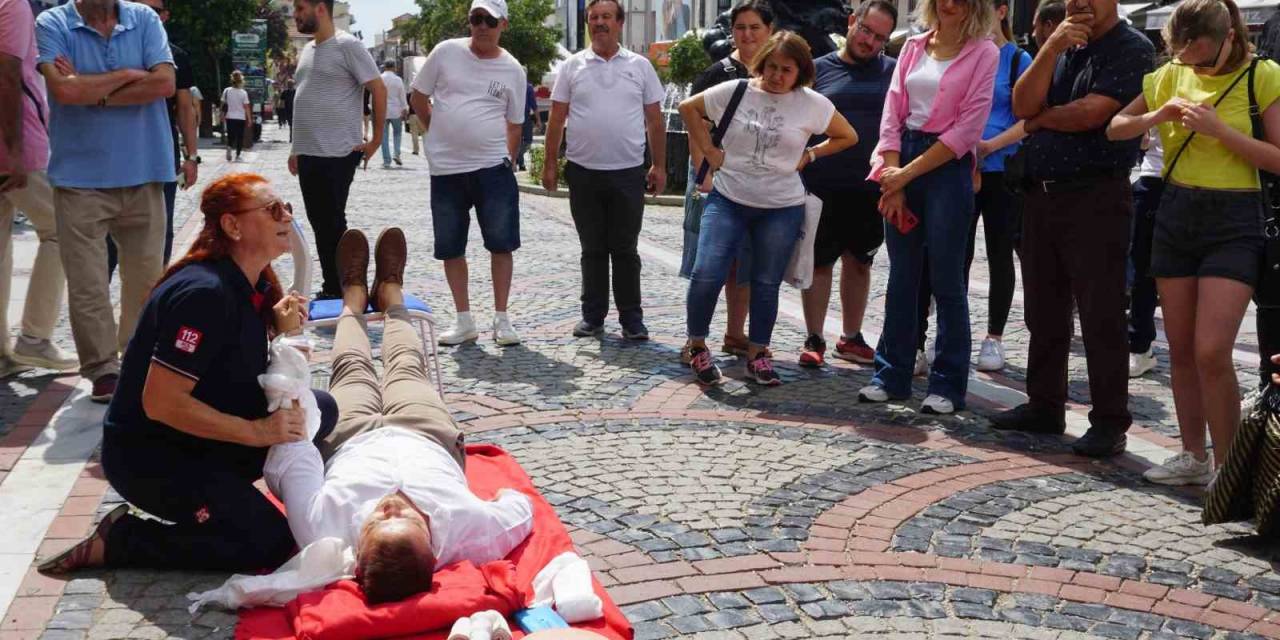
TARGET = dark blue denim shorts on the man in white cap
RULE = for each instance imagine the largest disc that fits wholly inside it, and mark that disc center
(497, 203)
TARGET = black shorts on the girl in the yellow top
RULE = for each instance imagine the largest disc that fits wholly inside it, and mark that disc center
(1208, 234)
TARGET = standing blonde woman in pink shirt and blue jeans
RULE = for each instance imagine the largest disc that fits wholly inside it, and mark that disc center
(935, 113)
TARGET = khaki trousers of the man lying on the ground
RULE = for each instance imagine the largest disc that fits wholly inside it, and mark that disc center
(405, 399)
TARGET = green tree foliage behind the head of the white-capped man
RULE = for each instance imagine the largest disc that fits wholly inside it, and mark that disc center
(528, 38)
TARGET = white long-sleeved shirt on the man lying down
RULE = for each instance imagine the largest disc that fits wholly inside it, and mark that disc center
(336, 501)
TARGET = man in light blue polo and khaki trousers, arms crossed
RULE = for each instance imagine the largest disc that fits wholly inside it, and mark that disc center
(109, 71)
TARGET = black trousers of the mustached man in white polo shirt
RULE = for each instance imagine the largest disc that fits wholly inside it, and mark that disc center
(609, 212)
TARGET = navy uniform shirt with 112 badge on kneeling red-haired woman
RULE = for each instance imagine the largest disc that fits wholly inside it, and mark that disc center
(203, 324)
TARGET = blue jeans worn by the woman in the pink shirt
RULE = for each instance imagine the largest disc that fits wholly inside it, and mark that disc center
(944, 203)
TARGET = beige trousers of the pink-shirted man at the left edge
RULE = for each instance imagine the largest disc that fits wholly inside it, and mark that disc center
(48, 284)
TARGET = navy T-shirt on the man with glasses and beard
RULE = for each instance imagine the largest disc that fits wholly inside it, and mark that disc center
(858, 92)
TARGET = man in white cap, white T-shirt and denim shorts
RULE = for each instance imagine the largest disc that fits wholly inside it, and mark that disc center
(470, 95)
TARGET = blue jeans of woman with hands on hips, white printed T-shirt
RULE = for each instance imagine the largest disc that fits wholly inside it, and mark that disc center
(771, 234)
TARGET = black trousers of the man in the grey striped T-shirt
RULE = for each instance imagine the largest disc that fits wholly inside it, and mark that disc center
(326, 185)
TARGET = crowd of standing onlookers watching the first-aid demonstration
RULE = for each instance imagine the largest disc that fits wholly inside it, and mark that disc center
(851, 152)
